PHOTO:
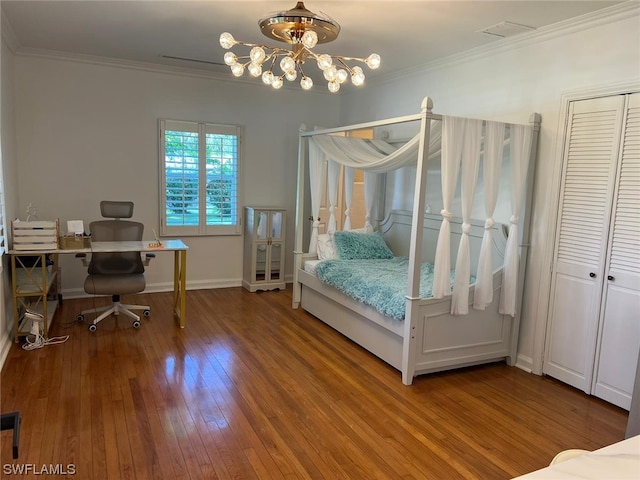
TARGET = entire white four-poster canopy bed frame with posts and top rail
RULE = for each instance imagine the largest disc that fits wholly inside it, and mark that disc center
(430, 338)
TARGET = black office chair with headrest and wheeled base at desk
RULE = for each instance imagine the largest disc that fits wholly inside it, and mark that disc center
(115, 273)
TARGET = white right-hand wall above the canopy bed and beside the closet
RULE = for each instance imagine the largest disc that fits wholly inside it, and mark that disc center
(508, 84)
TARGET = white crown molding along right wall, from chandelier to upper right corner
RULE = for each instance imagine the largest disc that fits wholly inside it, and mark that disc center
(605, 16)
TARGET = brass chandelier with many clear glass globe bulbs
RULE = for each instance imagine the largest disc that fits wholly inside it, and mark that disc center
(302, 29)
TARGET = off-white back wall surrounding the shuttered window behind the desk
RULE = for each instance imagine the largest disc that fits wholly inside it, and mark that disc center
(88, 132)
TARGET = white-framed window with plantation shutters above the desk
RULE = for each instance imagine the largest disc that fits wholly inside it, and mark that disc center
(199, 165)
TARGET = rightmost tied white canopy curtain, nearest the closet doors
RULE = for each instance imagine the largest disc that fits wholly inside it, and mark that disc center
(520, 143)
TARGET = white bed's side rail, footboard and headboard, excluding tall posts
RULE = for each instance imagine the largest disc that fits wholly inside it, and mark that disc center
(443, 341)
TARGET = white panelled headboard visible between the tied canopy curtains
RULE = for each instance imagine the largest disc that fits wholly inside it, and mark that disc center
(396, 229)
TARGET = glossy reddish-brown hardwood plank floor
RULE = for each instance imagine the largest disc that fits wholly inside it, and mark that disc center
(252, 389)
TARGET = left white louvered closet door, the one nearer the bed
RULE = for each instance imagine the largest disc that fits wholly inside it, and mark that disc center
(591, 155)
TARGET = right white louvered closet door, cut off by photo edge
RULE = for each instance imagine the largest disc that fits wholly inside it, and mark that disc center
(619, 340)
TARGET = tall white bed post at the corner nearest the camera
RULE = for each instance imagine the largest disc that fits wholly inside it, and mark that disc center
(415, 249)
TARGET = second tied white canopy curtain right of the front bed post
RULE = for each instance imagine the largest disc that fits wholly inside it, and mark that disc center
(470, 164)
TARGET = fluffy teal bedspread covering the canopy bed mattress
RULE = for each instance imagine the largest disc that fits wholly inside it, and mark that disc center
(379, 283)
